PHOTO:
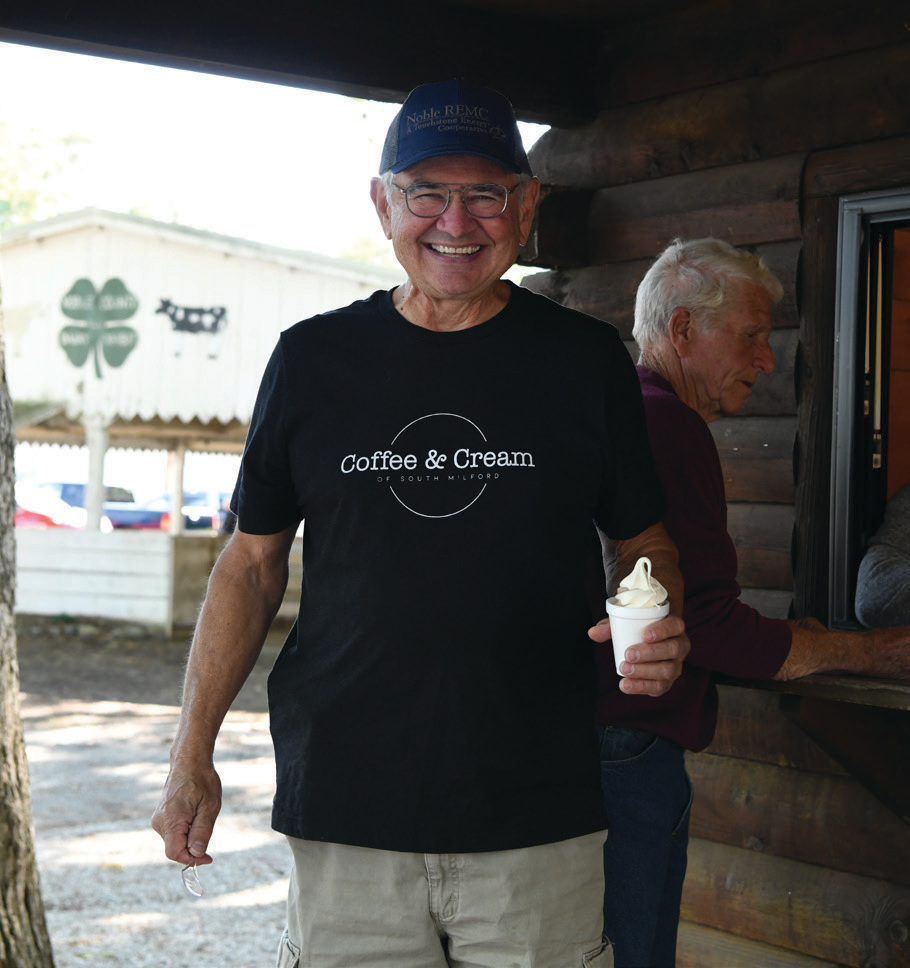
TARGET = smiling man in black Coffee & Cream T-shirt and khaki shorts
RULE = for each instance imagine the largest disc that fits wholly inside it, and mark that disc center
(442, 615)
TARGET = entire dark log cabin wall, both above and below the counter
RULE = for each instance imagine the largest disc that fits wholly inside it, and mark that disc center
(793, 862)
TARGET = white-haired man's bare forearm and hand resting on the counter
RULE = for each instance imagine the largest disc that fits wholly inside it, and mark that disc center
(883, 653)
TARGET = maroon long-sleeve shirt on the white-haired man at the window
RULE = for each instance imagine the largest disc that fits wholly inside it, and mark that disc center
(726, 635)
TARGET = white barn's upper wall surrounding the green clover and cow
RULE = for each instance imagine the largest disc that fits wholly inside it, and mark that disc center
(169, 374)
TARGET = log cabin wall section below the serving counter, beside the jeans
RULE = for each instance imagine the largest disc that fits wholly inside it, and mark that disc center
(793, 862)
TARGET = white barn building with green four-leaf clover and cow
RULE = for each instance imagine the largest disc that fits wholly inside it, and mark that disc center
(121, 331)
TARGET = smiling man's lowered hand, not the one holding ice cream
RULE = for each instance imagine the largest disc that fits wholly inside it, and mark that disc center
(186, 813)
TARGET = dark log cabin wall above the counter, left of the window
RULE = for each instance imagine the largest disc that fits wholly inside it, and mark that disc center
(739, 143)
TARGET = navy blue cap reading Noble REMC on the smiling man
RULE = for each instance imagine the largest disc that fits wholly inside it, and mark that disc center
(454, 118)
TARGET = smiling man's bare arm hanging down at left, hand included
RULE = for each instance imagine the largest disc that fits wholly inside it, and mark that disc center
(244, 593)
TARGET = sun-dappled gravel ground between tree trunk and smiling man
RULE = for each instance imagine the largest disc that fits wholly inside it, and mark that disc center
(99, 707)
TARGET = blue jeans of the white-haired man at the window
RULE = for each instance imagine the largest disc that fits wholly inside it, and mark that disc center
(649, 796)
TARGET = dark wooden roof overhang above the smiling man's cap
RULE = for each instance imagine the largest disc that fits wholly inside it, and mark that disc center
(538, 52)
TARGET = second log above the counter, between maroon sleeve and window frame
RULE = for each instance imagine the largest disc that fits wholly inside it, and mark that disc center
(762, 534)
